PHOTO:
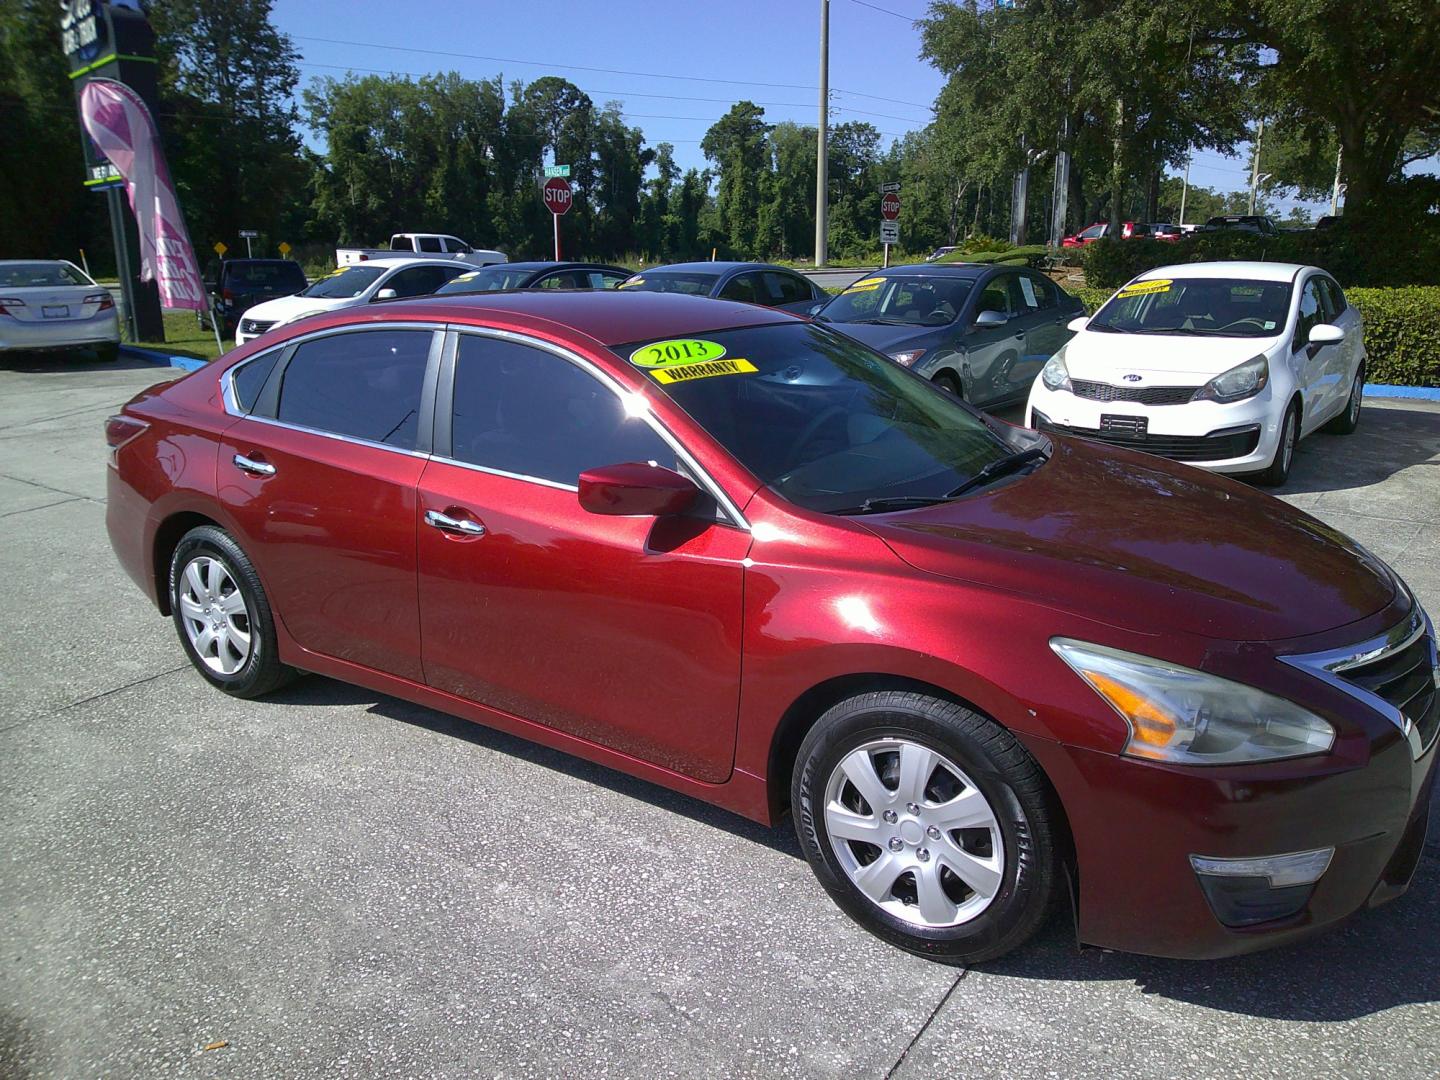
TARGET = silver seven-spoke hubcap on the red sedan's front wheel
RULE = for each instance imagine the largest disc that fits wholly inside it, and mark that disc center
(914, 833)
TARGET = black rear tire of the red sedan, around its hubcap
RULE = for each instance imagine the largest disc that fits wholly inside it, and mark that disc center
(261, 670)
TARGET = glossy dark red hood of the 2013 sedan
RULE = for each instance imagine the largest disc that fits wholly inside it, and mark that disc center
(1147, 545)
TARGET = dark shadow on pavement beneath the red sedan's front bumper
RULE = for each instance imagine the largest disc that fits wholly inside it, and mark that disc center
(1379, 960)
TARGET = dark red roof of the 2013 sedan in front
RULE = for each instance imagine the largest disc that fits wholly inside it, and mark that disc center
(607, 316)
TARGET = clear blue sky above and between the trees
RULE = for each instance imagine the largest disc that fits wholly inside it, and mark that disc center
(675, 68)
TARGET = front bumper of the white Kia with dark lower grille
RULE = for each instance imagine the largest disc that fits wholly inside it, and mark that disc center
(1232, 438)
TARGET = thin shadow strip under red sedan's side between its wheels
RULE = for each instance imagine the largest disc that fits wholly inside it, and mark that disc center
(319, 690)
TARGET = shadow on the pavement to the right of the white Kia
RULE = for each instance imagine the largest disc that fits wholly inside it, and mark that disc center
(1387, 441)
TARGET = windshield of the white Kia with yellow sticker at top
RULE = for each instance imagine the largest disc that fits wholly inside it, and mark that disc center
(1218, 307)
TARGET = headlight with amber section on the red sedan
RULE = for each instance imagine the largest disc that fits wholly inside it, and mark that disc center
(1189, 718)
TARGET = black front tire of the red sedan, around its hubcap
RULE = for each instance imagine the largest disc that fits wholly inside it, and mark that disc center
(994, 762)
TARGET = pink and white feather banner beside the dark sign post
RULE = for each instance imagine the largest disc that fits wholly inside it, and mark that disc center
(123, 129)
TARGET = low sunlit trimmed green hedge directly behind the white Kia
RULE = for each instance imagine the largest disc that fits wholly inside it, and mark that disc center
(1402, 330)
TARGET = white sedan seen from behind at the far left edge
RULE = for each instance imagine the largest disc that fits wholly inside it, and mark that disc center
(50, 306)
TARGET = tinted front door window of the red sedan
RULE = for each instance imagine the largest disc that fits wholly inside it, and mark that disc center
(532, 414)
